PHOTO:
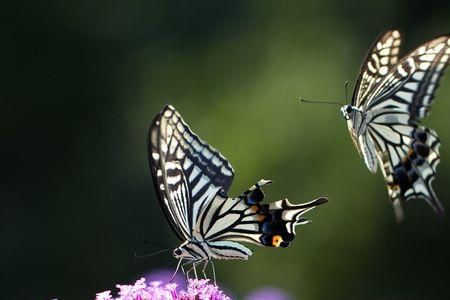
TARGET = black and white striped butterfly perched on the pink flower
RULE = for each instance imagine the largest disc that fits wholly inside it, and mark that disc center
(192, 179)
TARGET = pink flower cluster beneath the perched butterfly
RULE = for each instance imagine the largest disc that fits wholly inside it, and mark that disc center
(196, 289)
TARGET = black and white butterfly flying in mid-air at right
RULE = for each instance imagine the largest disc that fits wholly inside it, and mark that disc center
(390, 98)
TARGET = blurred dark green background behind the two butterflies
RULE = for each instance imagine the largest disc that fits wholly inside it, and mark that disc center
(81, 80)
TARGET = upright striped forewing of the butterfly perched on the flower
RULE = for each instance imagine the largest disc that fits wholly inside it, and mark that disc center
(187, 172)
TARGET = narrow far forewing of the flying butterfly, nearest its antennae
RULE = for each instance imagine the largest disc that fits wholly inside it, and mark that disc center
(382, 55)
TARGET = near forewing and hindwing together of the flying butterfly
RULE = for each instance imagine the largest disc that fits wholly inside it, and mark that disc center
(408, 153)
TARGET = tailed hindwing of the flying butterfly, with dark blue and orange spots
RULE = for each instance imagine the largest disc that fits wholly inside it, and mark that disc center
(409, 156)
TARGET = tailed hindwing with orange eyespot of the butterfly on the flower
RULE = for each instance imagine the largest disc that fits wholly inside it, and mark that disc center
(247, 219)
